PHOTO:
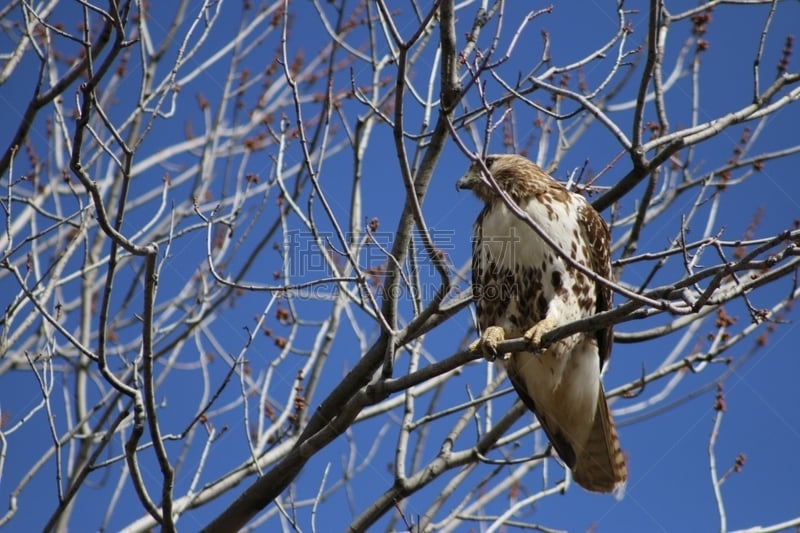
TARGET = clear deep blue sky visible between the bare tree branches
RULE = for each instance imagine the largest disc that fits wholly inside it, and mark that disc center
(669, 487)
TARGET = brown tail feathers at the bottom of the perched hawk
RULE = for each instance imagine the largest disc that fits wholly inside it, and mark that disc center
(601, 466)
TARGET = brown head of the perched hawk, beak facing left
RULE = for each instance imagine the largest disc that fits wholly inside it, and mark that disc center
(514, 174)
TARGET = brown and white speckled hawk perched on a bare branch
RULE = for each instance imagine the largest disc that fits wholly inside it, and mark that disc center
(523, 288)
